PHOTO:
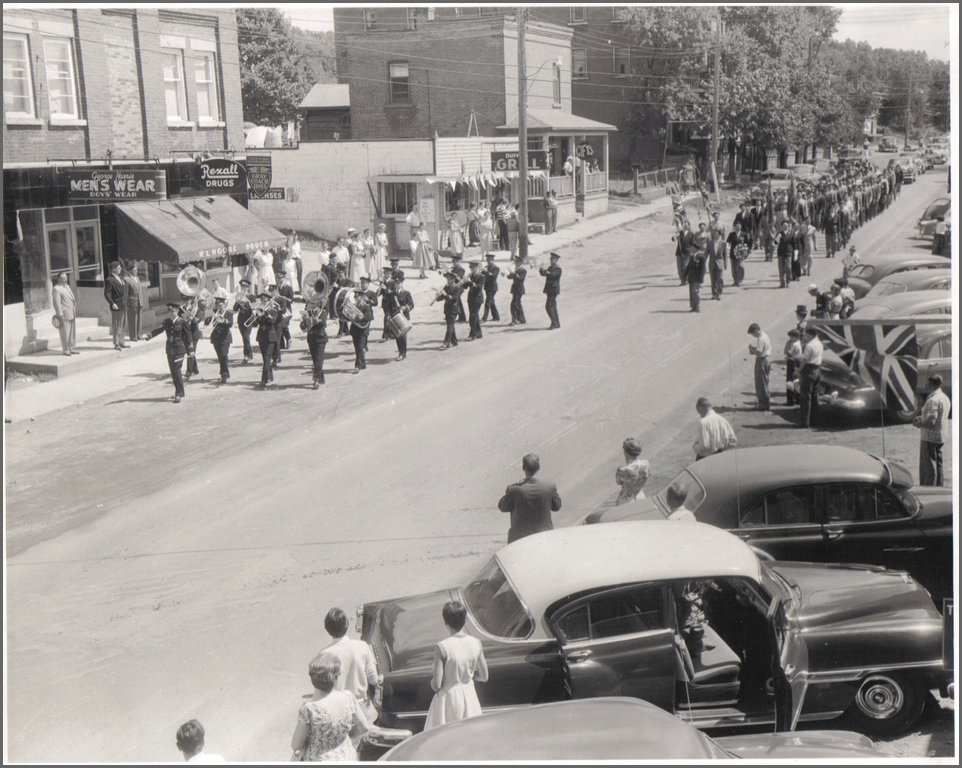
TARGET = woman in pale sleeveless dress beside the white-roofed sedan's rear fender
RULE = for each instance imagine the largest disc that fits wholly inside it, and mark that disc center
(458, 660)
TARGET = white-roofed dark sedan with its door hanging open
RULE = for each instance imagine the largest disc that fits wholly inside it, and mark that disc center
(589, 611)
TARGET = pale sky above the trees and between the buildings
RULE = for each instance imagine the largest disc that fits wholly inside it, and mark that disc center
(908, 26)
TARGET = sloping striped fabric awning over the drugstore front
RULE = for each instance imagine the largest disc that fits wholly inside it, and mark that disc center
(191, 229)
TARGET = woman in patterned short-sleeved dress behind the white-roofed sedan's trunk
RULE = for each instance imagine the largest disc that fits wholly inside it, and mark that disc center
(325, 723)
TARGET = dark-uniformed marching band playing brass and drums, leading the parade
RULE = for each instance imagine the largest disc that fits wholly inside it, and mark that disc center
(328, 294)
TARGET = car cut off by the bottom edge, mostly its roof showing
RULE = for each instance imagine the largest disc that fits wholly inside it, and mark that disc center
(611, 728)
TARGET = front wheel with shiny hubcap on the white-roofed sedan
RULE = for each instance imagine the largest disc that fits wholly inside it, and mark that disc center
(887, 704)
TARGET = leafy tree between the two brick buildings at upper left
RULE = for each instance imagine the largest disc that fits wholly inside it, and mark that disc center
(274, 74)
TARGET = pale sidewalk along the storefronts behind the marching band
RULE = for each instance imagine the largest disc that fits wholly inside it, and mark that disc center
(101, 370)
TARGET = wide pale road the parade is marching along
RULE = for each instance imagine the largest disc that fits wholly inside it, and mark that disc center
(176, 562)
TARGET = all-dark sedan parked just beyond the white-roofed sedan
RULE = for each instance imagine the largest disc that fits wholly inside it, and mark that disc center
(825, 503)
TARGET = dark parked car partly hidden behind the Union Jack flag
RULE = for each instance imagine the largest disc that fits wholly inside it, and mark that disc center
(840, 387)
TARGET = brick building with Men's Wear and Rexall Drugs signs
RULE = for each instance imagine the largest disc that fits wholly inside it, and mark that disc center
(108, 116)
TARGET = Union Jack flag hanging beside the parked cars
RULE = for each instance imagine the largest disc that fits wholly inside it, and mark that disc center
(885, 354)
